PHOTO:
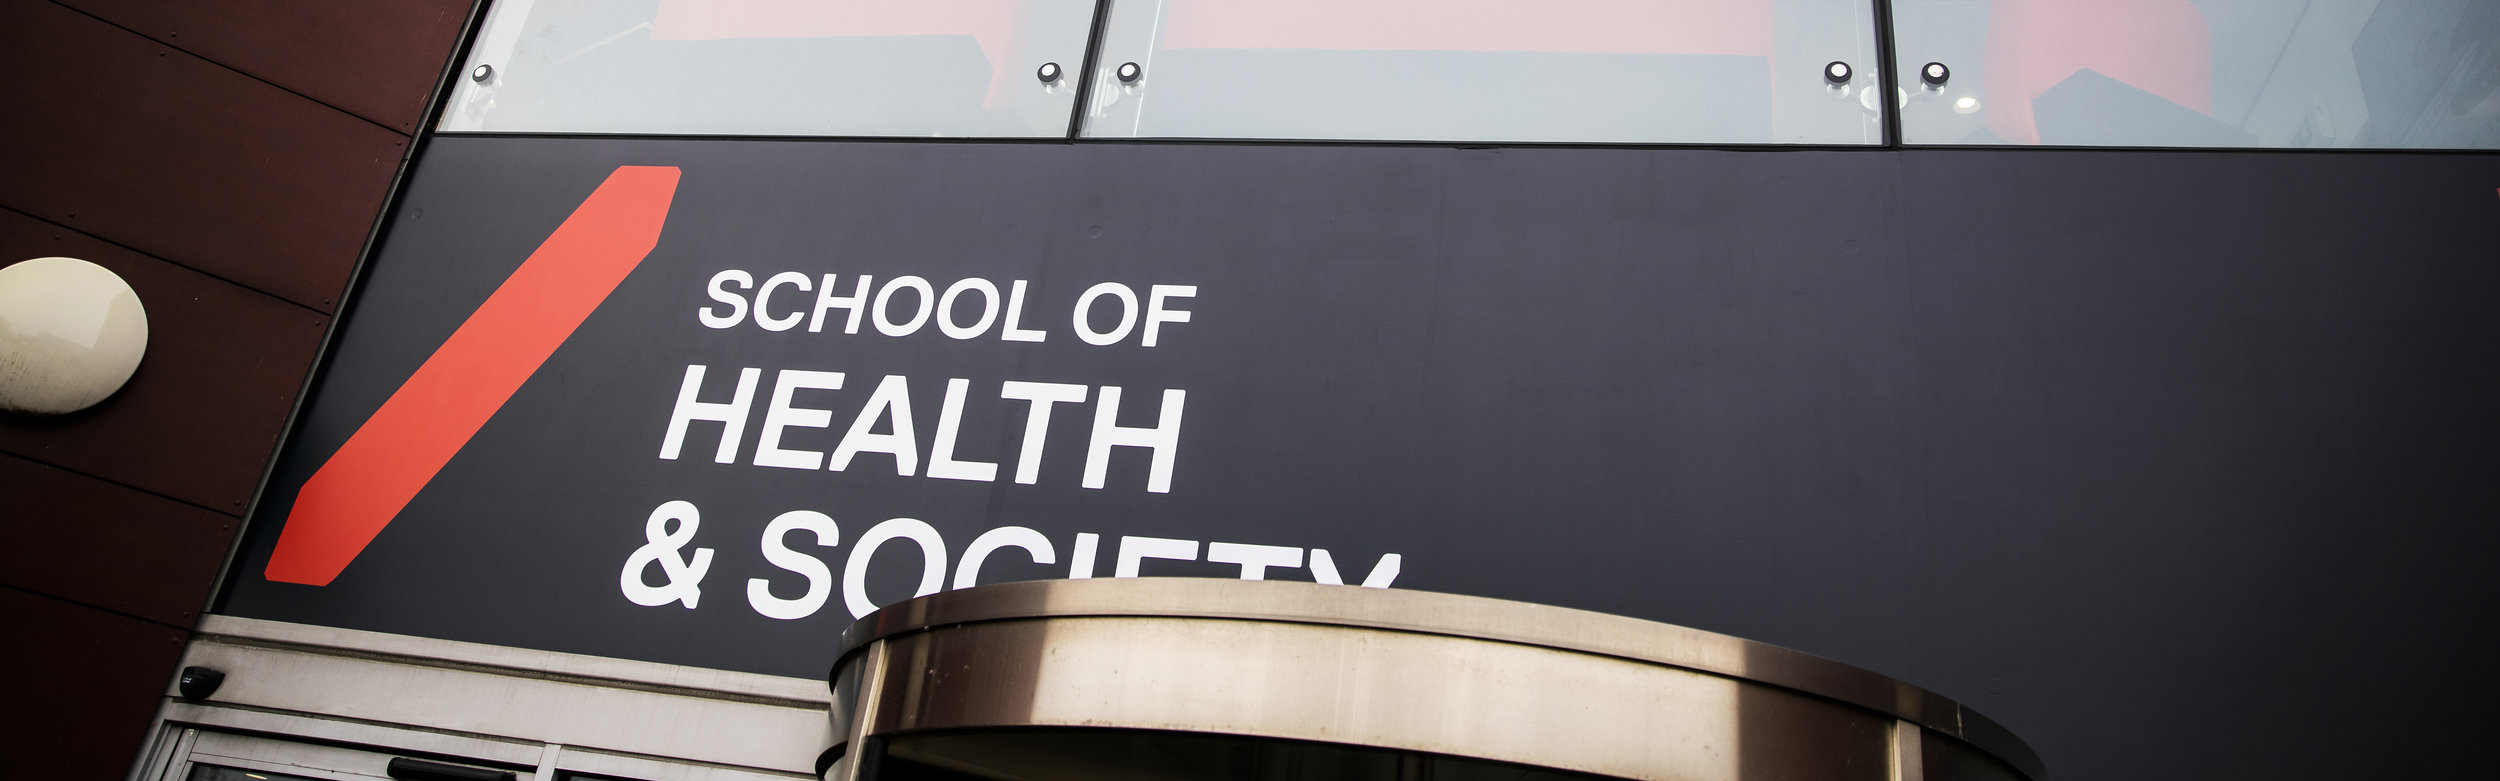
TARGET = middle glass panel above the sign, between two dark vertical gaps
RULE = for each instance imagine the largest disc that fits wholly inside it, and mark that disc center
(1566, 71)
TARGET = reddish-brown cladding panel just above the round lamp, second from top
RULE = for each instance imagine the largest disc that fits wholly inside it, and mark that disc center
(184, 159)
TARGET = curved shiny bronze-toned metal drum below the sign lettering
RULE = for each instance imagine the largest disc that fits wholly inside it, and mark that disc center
(1394, 670)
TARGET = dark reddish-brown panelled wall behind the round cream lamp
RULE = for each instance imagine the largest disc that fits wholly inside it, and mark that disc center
(226, 159)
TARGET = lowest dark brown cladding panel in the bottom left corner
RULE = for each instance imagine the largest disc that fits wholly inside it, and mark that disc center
(86, 685)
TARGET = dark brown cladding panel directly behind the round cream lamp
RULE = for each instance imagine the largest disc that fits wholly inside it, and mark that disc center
(204, 412)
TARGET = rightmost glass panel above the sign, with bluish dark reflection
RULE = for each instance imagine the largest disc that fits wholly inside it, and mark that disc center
(2204, 74)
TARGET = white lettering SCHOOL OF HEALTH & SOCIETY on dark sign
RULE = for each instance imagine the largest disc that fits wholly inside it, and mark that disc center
(796, 434)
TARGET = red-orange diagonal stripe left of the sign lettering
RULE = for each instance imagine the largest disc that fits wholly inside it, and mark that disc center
(471, 377)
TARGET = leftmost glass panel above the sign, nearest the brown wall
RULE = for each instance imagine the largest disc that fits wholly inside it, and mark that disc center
(776, 69)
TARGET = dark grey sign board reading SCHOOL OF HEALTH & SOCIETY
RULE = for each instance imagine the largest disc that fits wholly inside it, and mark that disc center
(2069, 437)
